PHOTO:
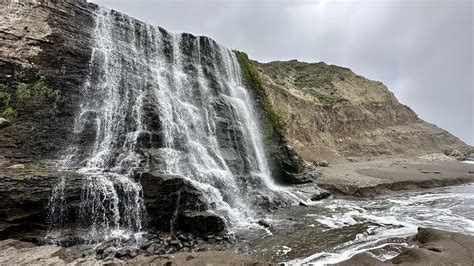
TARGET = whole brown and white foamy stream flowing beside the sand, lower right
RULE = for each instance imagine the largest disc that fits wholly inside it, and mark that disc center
(335, 229)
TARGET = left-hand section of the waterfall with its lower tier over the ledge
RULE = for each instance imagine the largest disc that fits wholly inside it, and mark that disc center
(106, 135)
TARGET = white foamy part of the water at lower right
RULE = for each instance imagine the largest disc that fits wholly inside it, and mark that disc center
(389, 220)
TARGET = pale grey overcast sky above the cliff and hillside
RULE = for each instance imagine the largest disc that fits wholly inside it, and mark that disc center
(421, 49)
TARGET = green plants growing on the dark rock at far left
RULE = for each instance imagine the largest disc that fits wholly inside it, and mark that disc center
(24, 93)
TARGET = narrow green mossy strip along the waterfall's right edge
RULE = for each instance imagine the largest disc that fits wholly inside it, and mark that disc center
(252, 79)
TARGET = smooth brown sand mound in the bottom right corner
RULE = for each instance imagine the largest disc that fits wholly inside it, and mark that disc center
(434, 247)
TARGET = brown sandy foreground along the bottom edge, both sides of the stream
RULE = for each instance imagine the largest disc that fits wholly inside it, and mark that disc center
(428, 246)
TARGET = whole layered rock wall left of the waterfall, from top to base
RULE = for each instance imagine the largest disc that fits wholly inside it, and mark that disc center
(39, 39)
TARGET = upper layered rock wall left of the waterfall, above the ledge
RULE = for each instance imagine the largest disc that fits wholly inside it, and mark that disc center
(50, 40)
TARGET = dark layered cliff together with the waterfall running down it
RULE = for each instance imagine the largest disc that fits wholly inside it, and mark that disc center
(138, 107)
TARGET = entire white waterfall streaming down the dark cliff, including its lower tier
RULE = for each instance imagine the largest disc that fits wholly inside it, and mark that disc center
(176, 94)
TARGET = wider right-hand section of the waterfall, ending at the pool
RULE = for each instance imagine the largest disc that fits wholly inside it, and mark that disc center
(210, 129)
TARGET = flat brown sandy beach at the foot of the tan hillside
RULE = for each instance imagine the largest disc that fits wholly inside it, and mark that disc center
(369, 177)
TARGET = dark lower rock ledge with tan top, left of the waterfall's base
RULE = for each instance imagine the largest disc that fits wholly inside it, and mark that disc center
(25, 193)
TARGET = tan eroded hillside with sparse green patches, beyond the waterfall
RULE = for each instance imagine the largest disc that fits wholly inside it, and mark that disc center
(332, 112)
